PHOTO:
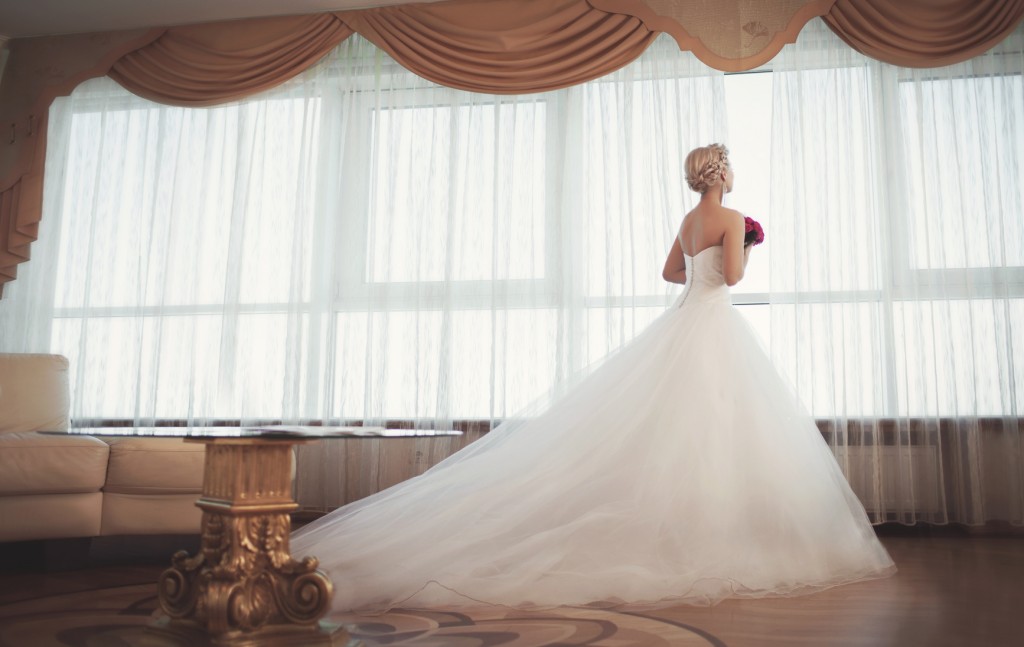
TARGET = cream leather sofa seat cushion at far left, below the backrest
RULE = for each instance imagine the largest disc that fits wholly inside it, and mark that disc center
(52, 464)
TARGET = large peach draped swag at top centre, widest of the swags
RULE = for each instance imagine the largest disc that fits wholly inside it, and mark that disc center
(504, 48)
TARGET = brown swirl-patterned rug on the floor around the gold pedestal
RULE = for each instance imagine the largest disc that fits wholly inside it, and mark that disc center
(119, 617)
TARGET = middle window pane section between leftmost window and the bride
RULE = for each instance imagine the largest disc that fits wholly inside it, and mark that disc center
(446, 253)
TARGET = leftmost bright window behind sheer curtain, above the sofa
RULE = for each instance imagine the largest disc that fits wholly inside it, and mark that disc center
(144, 265)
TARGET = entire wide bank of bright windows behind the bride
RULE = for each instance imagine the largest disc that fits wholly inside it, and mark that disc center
(339, 251)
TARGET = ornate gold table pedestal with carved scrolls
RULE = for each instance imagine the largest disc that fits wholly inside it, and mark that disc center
(244, 588)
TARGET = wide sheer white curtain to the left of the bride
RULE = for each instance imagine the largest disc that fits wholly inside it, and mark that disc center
(360, 245)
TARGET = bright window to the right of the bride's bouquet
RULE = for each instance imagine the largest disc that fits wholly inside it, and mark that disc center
(875, 315)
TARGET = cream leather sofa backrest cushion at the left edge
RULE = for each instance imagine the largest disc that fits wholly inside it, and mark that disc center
(33, 393)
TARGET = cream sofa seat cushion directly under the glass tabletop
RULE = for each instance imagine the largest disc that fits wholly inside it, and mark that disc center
(155, 466)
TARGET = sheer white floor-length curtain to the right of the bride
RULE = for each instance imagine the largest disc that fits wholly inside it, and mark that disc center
(898, 272)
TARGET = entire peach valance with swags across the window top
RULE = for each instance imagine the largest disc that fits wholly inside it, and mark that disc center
(493, 47)
